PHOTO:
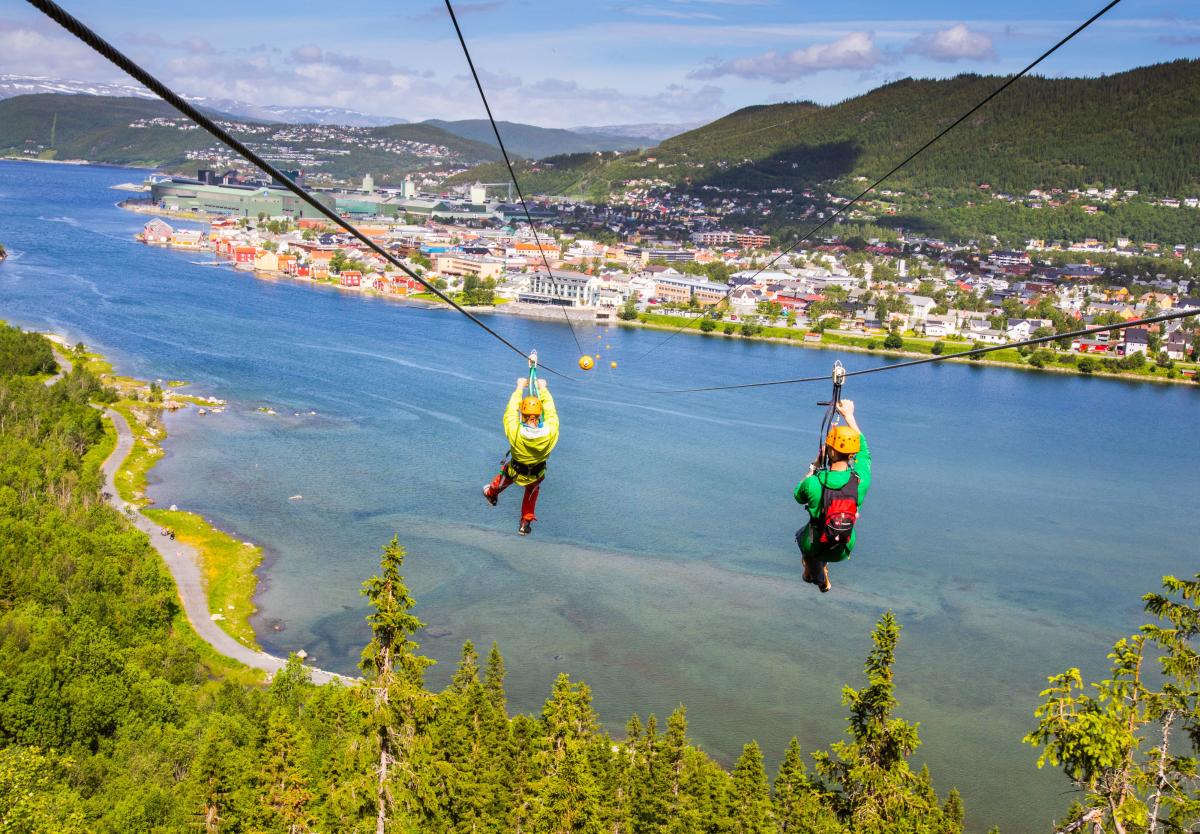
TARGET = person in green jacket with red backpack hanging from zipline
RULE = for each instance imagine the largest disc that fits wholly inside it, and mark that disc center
(848, 458)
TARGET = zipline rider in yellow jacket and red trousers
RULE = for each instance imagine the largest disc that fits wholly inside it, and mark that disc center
(531, 423)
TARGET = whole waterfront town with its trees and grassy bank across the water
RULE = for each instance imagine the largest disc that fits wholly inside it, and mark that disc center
(658, 262)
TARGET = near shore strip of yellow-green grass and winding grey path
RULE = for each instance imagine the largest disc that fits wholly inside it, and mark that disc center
(208, 566)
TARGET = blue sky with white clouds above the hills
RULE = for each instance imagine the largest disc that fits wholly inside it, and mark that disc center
(567, 63)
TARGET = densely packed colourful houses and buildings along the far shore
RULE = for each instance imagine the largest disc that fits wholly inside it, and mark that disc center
(590, 275)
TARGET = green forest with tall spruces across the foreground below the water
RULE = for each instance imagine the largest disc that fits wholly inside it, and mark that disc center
(115, 718)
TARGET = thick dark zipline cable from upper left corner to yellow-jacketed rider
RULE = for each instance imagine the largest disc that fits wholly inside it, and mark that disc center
(89, 37)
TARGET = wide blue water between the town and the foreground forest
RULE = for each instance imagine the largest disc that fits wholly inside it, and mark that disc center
(1010, 526)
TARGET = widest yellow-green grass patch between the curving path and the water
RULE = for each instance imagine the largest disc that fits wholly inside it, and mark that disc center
(227, 567)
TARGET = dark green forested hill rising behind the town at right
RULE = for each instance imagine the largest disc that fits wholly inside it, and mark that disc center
(1133, 130)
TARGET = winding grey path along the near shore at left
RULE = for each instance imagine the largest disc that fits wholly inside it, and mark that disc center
(183, 561)
